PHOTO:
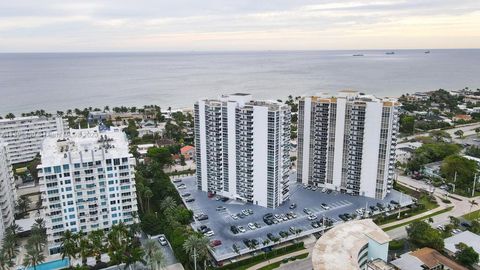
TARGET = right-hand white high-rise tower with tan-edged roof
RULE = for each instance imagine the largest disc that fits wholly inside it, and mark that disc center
(347, 143)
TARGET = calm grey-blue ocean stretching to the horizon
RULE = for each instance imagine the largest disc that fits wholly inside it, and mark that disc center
(60, 81)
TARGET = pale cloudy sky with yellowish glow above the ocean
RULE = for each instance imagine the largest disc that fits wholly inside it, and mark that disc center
(204, 25)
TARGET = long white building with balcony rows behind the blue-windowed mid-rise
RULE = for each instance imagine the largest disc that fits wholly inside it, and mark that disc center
(24, 135)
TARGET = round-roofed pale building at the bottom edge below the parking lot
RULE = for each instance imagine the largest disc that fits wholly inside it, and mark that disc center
(350, 245)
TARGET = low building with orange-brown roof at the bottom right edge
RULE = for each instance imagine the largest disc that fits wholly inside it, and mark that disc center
(426, 259)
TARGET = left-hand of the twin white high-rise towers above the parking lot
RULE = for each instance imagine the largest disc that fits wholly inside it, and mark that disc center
(242, 148)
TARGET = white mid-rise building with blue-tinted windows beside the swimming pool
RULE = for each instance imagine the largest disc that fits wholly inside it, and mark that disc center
(87, 182)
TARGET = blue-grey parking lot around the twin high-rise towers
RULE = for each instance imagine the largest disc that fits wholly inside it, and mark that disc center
(221, 221)
